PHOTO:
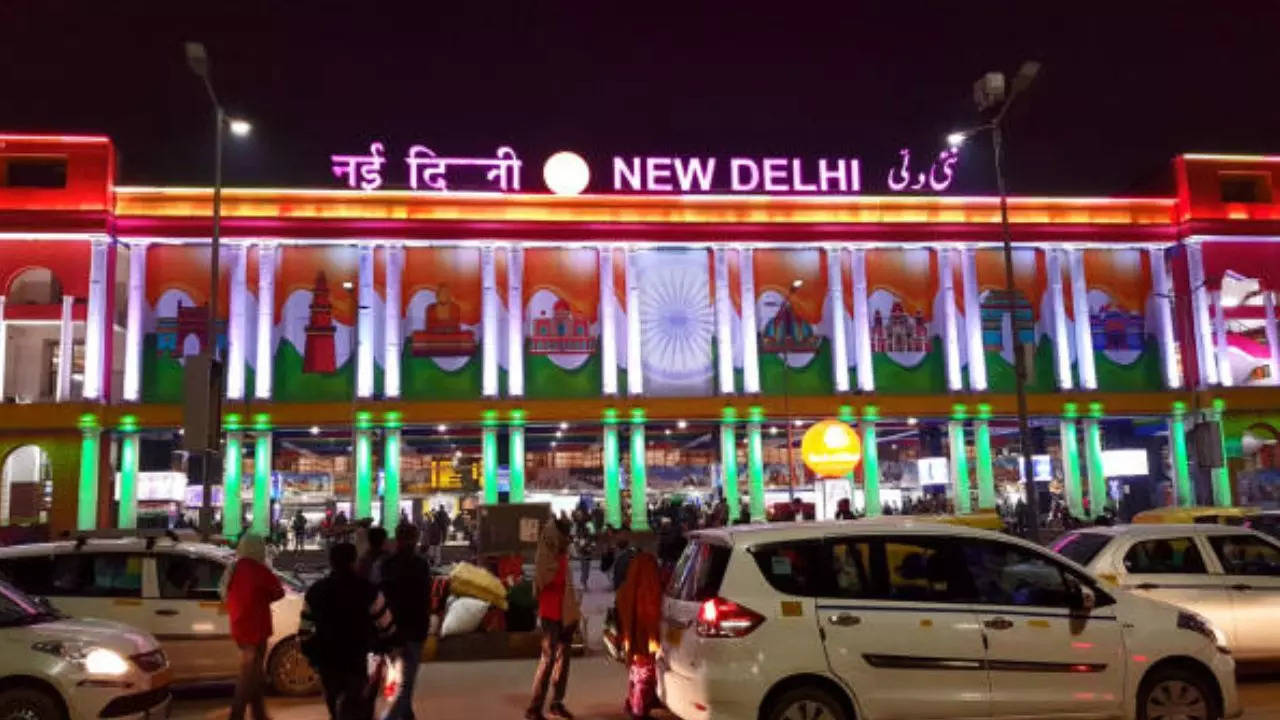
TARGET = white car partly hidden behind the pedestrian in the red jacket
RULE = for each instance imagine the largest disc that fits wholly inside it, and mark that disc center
(168, 589)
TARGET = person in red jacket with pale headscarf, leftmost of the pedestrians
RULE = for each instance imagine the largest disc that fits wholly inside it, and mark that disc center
(249, 590)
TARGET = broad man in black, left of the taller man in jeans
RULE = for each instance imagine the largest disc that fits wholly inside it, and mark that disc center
(344, 619)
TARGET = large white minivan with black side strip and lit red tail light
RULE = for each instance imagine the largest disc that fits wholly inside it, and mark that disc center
(895, 619)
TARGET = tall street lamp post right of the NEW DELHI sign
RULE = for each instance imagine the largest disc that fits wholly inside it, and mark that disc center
(990, 98)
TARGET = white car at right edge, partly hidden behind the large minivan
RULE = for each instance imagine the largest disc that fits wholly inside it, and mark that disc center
(1228, 575)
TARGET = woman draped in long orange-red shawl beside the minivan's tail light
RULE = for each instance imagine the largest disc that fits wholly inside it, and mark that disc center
(639, 608)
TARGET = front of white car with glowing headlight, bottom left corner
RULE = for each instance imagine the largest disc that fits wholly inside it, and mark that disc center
(53, 668)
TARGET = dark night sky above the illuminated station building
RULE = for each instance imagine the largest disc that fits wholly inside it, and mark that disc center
(1124, 86)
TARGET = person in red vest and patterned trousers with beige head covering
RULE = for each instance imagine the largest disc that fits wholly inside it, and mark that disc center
(557, 614)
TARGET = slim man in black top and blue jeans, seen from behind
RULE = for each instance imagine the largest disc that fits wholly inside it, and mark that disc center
(406, 584)
